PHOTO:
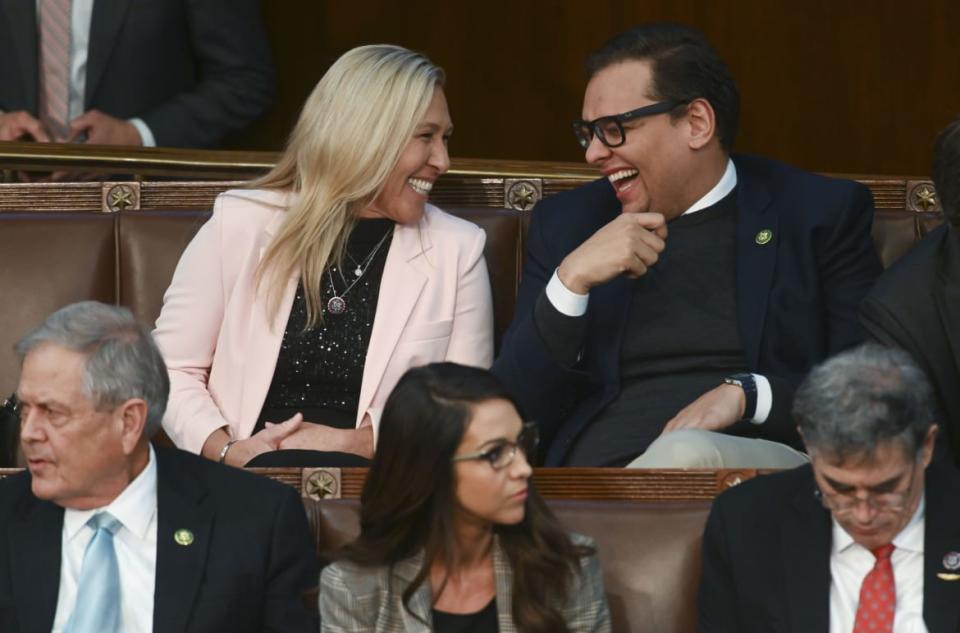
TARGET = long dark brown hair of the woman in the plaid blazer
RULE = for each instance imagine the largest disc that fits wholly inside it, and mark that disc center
(408, 497)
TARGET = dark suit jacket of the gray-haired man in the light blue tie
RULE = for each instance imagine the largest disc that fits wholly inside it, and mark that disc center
(251, 560)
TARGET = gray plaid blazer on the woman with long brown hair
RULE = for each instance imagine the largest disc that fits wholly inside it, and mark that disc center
(357, 599)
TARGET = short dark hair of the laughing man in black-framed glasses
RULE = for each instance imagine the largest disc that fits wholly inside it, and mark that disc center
(685, 67)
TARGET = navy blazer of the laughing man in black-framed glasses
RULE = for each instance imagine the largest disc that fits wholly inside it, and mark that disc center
(797, 295)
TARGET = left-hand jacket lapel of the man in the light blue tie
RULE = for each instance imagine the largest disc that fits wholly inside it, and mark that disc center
(35, 549)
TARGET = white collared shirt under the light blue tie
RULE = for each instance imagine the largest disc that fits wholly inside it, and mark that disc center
(136, 546)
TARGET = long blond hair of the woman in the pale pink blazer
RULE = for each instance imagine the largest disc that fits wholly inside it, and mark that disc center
(351, 132)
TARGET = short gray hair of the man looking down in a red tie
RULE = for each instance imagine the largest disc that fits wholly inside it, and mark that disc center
(861, 398)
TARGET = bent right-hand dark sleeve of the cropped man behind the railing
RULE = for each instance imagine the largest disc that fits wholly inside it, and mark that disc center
(236, 76)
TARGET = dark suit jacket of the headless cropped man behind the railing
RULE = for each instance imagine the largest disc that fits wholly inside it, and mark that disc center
(192, 70)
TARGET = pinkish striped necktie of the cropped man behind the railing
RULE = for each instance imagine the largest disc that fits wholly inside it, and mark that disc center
(55, 36)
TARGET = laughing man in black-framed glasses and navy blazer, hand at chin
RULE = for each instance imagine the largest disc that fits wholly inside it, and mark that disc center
(684, 295)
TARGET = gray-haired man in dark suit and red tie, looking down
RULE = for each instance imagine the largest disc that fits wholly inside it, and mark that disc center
(866, 538)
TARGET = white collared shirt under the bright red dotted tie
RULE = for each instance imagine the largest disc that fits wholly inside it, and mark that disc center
(850, 562)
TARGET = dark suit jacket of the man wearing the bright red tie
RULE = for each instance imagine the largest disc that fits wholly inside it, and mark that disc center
(766, 556)
